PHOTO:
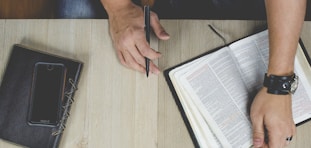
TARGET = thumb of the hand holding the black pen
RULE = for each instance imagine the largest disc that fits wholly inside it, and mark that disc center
(157, 27)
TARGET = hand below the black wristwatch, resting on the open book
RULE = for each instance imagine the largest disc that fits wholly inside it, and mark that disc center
(273, 112)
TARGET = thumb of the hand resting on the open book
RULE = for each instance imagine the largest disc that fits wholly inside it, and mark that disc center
(258, 133)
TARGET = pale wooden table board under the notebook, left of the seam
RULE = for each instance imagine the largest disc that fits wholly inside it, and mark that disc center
(115, 106)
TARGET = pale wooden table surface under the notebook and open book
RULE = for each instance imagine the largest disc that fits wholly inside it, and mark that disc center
(116, 107)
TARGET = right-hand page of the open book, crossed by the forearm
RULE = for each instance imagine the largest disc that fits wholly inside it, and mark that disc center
(252, 55)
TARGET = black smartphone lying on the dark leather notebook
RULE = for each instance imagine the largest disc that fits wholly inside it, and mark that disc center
(47, 94)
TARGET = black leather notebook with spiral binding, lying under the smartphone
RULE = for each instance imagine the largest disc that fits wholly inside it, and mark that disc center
(16, 92)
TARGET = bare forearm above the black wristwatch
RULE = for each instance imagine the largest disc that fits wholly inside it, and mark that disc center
(285, 19)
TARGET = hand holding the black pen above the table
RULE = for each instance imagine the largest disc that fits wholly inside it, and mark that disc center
(129, 38)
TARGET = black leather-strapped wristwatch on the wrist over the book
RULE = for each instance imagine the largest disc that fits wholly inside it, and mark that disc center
(281, 85)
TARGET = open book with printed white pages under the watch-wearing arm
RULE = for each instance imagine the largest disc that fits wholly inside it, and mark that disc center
(214, 91)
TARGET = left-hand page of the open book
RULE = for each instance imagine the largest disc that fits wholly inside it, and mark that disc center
(212, 84)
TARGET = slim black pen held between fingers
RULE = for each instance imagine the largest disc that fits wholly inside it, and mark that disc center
(147, 31)
